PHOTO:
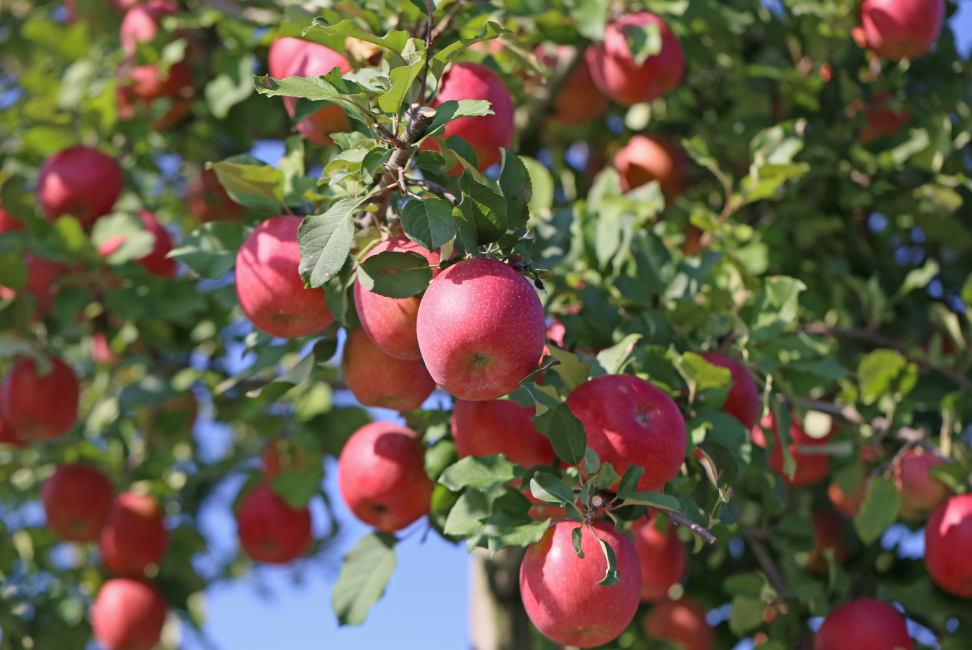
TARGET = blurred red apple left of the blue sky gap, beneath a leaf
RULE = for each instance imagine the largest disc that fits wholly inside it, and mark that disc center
(270, 530)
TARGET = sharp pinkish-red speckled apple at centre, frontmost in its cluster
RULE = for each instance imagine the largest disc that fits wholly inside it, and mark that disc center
(481, 329)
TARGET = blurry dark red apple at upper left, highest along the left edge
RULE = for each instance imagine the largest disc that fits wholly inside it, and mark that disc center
(79, 181)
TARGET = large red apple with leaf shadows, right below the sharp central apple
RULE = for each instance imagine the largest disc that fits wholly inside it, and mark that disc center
(631, 422)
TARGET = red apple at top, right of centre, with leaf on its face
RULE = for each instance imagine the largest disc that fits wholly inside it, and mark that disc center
(618, 75)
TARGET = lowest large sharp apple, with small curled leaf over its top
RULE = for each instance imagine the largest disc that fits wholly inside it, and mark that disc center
(560, 590)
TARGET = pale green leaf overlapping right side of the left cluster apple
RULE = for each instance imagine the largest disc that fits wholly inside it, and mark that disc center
(325, 241)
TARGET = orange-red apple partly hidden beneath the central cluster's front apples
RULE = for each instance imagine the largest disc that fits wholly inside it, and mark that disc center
(376, 379)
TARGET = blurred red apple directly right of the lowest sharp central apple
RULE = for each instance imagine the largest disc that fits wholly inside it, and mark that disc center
(663, 559)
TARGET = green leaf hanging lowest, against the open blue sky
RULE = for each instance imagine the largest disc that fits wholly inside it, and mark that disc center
(367, 568)
